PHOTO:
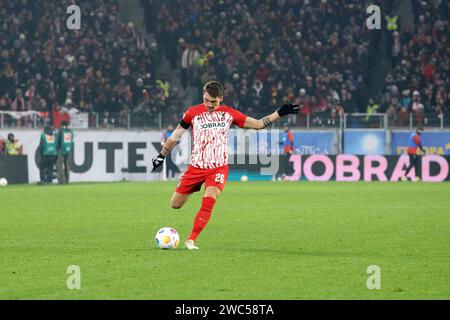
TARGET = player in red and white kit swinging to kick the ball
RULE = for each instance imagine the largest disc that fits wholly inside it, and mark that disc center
(210, 123)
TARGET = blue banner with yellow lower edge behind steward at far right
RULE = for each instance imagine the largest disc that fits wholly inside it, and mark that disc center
(433, 142)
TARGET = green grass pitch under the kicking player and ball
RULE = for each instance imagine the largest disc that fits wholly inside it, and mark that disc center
(265, 240)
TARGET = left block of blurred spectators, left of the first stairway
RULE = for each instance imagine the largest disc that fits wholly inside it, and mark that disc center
(106, 67)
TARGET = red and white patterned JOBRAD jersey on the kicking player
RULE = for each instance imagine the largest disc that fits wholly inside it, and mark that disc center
(210, 134)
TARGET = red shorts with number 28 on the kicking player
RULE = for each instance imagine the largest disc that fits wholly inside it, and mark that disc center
(192, 179)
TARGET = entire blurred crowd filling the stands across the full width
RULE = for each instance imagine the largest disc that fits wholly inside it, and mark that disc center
(266, 52)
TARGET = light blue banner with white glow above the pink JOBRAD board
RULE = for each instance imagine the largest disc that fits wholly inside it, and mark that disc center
(364, 142)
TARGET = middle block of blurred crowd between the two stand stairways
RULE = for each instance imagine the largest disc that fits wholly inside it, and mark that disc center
(269, 52)
